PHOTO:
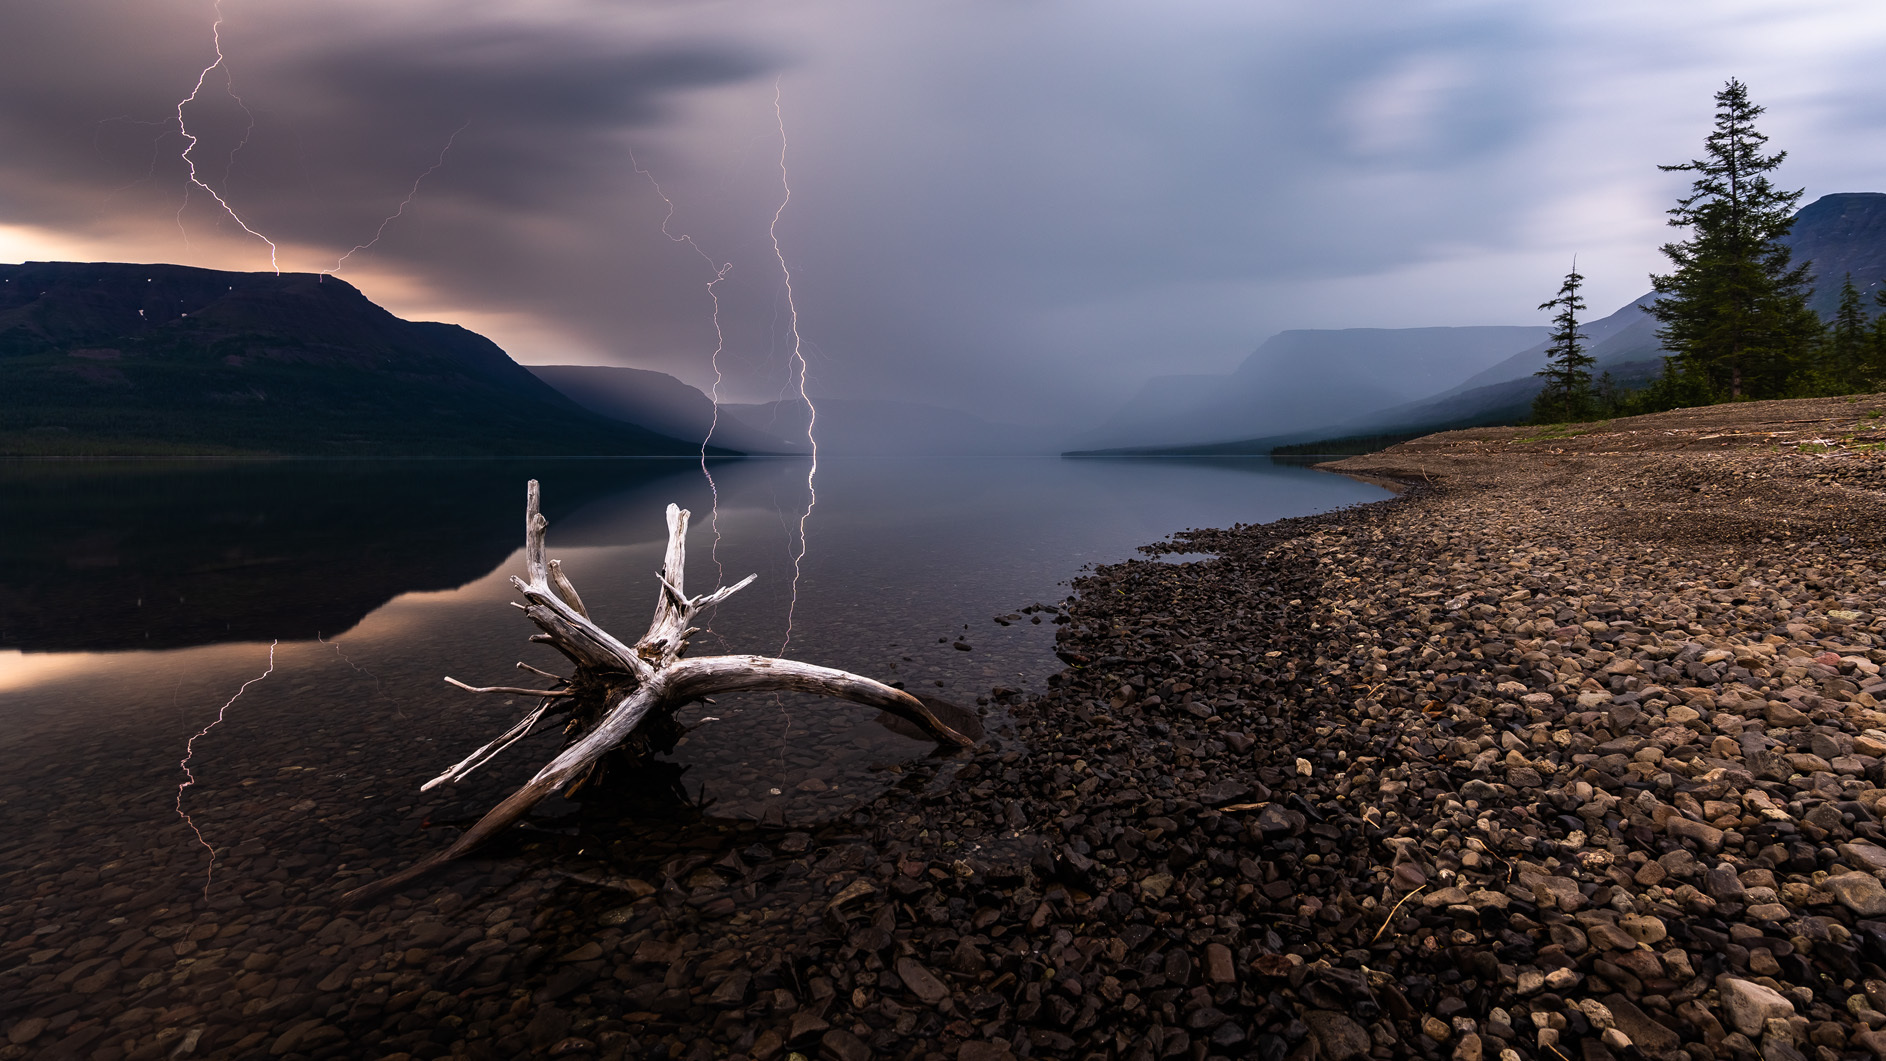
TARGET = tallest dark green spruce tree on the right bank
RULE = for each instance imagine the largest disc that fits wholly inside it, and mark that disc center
(1734, 310)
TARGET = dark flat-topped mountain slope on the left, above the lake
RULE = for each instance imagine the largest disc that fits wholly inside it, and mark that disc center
(167, 359)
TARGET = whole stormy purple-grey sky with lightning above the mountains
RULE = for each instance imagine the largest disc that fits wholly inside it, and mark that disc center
(1019, 208)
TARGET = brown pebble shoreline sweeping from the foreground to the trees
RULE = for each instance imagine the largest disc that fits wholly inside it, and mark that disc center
(1572, 753)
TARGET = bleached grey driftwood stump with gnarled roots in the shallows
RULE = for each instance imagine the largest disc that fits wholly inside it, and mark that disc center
(625, 696)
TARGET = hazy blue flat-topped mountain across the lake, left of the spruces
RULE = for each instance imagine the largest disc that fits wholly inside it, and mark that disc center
(1306, 378)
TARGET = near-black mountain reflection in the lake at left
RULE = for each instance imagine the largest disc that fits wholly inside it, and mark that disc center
(167, 555)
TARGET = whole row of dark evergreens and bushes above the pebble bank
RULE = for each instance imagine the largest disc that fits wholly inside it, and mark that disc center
(1732, 312)
